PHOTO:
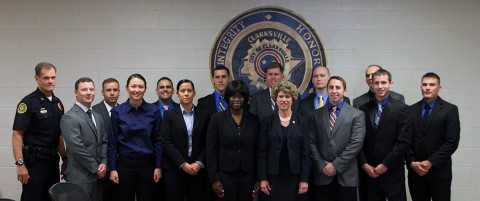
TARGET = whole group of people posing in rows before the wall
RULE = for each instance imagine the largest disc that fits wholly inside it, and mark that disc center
(233, 146)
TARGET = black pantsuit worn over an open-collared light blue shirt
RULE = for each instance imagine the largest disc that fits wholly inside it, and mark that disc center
(175, 144)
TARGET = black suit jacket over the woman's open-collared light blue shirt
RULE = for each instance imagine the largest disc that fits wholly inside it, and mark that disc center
(174, 138)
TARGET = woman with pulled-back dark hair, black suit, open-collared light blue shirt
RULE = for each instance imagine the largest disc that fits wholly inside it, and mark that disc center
(183, 136)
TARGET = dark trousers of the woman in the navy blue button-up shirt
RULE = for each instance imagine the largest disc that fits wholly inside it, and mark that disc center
(135, 175)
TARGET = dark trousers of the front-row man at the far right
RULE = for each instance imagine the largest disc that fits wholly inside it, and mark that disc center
(423, 189)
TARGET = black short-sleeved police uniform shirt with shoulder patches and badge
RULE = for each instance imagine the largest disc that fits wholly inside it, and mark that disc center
(39, 119)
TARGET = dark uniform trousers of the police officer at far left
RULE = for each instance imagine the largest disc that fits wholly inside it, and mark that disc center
(43, 174)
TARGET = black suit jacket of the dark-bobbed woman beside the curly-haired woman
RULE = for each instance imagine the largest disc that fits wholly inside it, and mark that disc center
(229, 149)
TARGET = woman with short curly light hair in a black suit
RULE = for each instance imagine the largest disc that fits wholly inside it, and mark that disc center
(283, 159)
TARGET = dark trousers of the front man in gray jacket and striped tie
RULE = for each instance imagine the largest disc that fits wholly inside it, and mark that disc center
(334, 192)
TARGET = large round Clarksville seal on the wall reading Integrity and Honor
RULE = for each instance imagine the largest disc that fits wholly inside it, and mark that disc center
(257, 37)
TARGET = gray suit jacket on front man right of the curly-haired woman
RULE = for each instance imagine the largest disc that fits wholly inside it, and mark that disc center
(339, 146)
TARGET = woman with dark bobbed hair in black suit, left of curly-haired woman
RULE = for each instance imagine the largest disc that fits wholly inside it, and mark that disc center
(232, 147)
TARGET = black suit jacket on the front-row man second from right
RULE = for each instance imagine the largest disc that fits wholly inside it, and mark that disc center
(388, 143)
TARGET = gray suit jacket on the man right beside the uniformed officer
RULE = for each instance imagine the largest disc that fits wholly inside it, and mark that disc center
(86, 145)
